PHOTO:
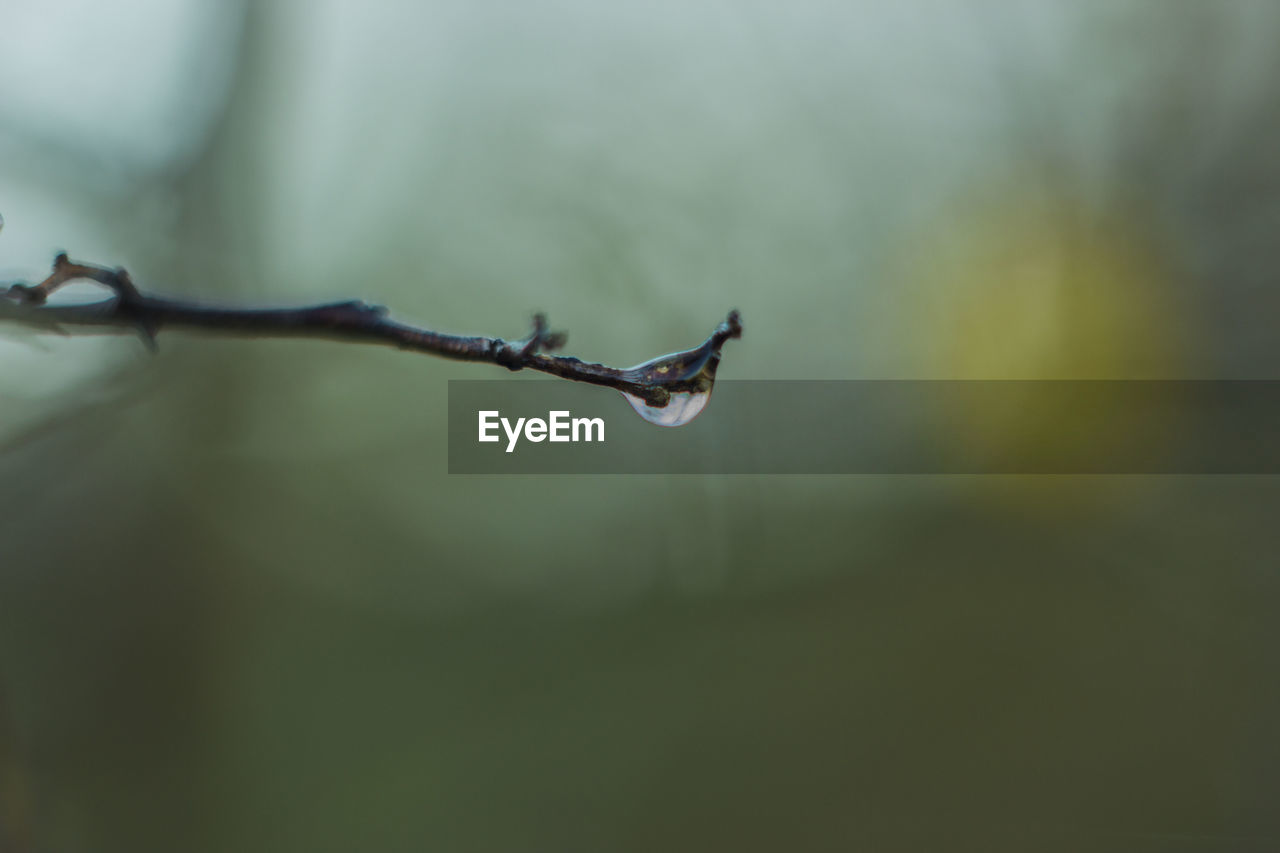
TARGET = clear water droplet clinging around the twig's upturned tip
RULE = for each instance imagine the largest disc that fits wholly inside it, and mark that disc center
(680, 385)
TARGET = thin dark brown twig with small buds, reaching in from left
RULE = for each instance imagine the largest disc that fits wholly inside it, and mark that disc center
(351, 321)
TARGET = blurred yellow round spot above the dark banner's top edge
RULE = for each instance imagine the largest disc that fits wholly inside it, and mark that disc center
(1034, 290)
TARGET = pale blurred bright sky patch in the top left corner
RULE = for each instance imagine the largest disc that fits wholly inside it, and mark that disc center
(134, 84)
